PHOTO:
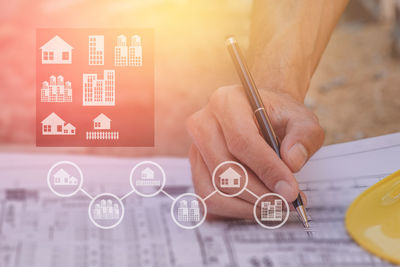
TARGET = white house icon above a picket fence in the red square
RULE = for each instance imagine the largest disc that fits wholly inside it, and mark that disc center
(102, 129)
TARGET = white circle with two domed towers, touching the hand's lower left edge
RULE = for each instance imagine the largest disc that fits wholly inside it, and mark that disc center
(186, 211)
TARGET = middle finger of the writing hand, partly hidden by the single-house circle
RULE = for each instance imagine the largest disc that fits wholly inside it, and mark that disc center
(211, 144)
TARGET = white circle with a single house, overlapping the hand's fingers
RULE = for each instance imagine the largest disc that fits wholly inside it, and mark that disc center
(232, 178)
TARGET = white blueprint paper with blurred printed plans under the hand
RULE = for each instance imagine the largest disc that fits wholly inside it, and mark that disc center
(38, 228)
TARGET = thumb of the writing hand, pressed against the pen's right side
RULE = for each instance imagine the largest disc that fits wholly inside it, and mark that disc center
(304, 136)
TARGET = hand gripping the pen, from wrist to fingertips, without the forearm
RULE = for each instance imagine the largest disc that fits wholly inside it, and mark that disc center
(226, 130)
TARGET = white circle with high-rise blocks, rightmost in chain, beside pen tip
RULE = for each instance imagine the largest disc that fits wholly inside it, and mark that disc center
(273, 211)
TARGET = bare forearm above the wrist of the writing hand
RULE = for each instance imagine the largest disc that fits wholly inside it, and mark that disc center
(287, 40)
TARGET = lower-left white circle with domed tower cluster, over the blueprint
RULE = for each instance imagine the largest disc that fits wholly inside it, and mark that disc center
(106, 211)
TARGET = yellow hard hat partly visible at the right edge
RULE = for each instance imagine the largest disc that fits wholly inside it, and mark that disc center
(373, 219)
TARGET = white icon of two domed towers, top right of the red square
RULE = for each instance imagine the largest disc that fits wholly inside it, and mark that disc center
(128, 55)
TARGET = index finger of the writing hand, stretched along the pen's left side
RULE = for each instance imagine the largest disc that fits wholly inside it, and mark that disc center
(245, 143)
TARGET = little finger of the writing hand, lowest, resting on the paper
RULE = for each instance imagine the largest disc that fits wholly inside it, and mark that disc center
(216, 204)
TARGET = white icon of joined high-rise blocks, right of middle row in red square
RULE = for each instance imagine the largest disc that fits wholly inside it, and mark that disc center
(98, 92)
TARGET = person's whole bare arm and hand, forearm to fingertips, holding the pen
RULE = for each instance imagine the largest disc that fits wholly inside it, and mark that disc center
(287, 40)
